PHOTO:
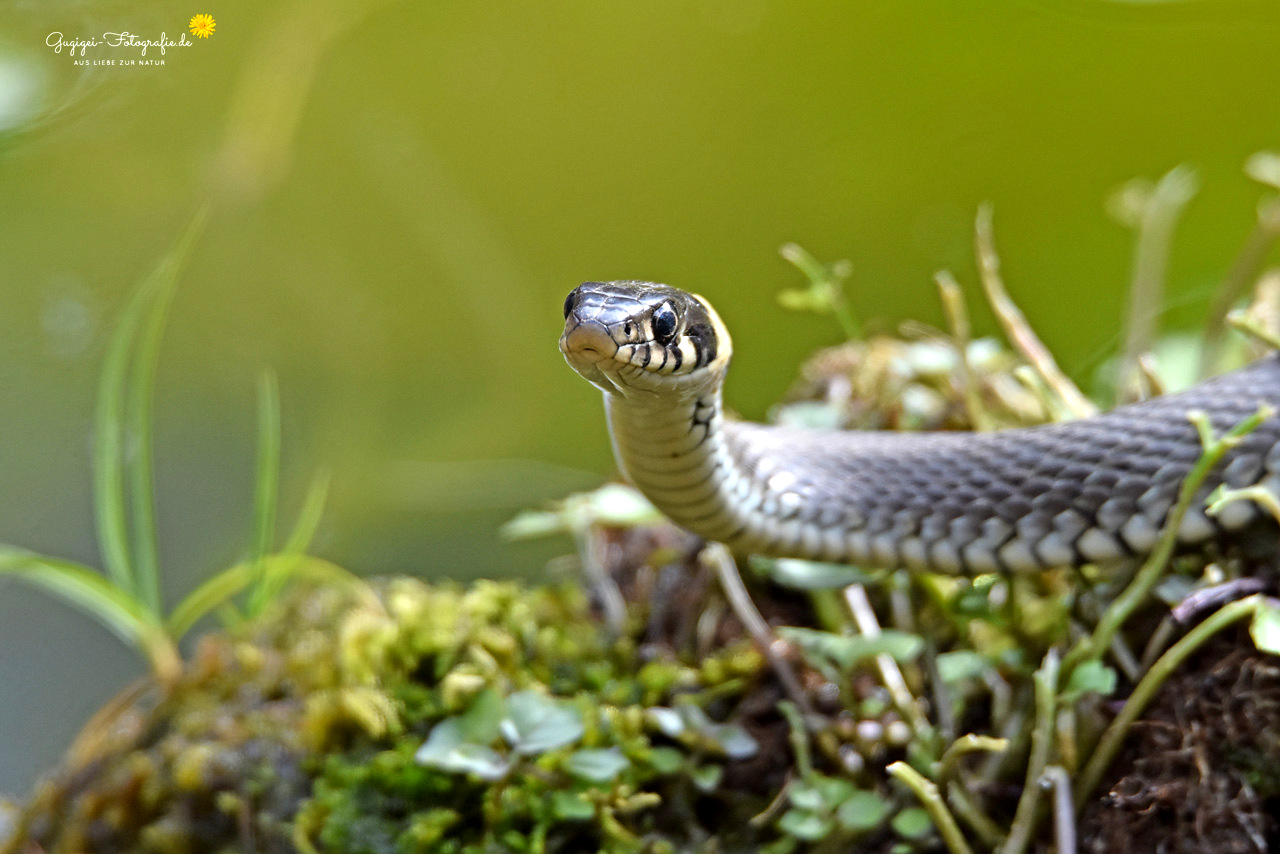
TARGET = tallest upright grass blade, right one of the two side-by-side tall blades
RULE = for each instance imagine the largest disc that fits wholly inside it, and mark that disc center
(141, 395)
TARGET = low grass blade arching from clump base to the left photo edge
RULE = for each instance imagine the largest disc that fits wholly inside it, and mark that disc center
(98, 597)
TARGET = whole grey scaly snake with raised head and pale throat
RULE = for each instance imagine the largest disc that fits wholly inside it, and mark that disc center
(1021, 500)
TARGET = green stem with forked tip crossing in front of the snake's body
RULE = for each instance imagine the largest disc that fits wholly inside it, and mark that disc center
(1154, 568)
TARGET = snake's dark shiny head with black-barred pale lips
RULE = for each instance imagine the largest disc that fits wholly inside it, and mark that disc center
(637, 337)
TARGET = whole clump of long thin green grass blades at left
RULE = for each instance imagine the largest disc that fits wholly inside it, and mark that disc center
(127, 596)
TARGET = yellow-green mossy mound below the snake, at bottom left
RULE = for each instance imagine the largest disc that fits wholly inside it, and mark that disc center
(304, 732)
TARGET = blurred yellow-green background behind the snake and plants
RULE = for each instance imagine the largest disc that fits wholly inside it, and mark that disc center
(404, 193)
